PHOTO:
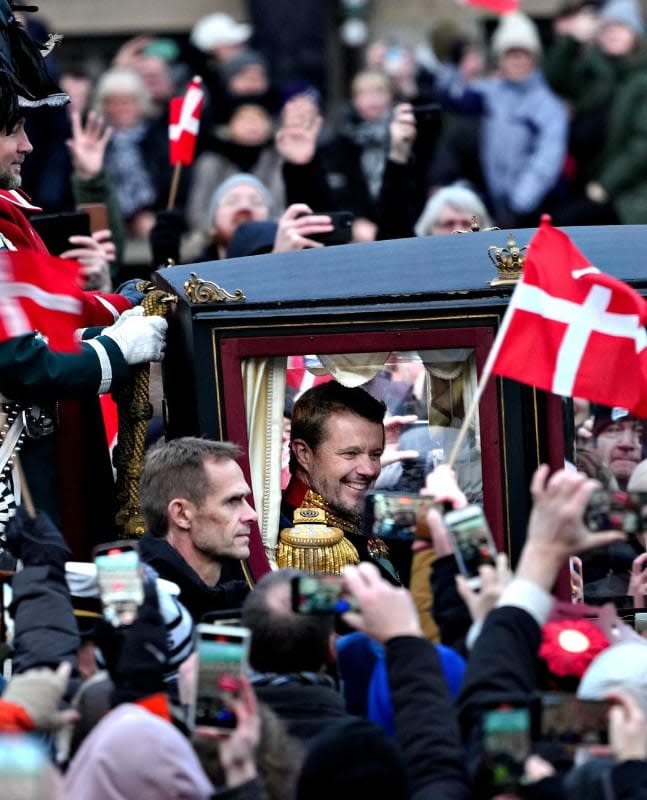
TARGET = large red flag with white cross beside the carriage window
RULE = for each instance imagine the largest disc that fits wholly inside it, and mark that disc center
(572, 330)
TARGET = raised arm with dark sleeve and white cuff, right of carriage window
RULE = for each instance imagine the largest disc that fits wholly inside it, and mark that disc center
(503, 663)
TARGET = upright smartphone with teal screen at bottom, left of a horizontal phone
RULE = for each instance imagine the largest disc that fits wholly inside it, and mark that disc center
(506, 745)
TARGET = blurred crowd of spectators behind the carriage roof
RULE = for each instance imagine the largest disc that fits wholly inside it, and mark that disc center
(414, 128)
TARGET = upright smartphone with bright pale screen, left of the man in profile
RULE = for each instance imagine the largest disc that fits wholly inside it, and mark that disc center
(121, 584)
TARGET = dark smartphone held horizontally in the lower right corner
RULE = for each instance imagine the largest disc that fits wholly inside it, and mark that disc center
(573, 723)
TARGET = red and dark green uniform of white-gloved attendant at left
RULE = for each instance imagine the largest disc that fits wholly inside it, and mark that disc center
(62, 445)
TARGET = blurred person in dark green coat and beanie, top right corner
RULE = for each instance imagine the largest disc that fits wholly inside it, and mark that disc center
(599, 65)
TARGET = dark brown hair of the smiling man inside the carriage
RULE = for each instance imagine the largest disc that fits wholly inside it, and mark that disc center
(316, 405)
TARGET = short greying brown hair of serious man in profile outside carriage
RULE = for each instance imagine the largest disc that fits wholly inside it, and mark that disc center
(176, 469)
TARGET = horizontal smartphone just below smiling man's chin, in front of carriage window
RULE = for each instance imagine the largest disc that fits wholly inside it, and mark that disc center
(394, 515)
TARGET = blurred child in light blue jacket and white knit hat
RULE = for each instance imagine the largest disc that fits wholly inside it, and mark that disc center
(524, 125)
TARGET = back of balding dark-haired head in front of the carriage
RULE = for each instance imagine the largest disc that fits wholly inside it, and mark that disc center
(281, 640)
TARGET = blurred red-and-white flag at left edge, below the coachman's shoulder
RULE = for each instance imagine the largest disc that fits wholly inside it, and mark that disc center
(40, 293)
